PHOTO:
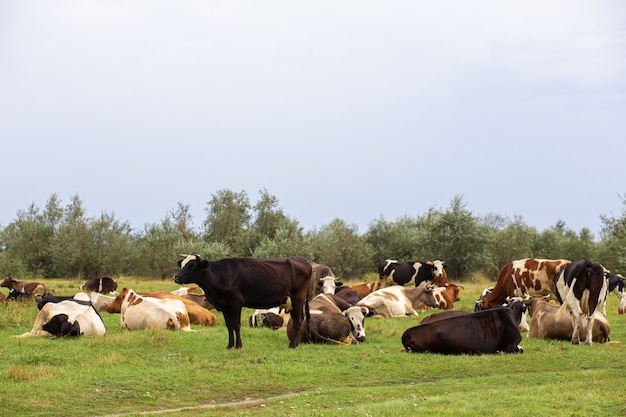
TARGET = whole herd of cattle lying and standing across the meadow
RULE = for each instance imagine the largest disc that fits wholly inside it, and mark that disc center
(307, 301)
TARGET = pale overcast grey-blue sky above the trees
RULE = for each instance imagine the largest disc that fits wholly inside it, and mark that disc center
(357, 110)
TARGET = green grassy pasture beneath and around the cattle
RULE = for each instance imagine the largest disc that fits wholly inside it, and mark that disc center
(190, 374)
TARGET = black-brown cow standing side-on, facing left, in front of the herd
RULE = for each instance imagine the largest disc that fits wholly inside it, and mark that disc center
(234, 283)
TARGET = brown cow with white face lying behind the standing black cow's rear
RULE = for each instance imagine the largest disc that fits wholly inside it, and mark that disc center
(331, 321)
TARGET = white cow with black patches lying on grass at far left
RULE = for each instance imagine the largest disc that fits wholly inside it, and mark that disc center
(67, 318)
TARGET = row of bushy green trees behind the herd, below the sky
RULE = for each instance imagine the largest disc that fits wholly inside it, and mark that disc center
(62, 241)
